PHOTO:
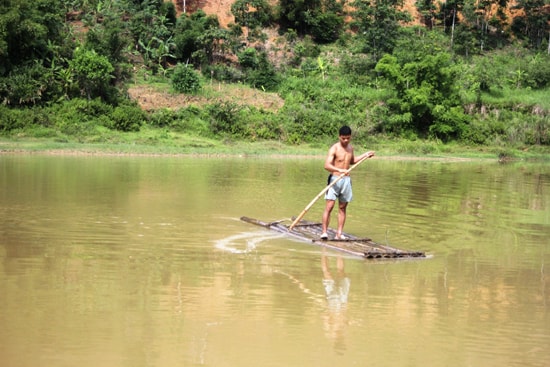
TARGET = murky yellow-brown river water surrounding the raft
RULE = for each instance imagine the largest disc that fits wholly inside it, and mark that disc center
(133, 261)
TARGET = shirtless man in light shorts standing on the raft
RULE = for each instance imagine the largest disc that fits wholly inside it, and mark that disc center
(339, 160)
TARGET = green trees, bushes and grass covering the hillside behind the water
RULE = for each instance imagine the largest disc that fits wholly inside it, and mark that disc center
(479, 80)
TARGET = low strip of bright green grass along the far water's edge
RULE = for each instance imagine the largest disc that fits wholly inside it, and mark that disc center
(152, 141)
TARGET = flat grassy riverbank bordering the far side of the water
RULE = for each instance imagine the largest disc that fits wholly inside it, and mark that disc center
(196, 146)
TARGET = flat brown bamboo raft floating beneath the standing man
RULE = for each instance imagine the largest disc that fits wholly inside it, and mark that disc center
(364, 247)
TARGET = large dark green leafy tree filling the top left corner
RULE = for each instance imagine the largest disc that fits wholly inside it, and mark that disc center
(34, 47)
